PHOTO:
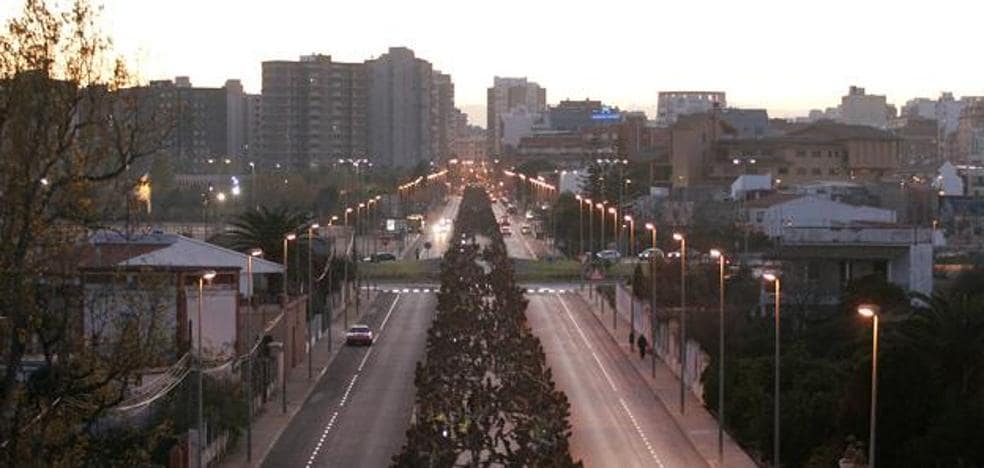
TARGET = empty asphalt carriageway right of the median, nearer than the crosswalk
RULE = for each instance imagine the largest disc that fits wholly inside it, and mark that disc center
(616, 418)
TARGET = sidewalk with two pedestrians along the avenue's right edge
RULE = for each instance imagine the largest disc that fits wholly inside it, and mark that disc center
(697, 424)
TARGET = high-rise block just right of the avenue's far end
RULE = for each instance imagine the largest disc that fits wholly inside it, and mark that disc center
(507, 95)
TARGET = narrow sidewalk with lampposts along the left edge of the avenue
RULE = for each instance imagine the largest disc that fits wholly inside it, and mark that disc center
(269, 422)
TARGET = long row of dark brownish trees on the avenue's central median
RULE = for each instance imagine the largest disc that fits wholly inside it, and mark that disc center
(485, 395)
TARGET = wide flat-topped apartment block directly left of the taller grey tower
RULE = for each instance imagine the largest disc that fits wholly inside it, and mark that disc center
(313, 111)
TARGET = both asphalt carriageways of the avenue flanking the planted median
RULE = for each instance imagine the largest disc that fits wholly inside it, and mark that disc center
(359, 412)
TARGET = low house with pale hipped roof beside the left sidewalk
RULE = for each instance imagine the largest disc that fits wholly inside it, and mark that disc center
(153, 279)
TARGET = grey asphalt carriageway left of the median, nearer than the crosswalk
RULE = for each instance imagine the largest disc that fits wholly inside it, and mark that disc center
(358, 414)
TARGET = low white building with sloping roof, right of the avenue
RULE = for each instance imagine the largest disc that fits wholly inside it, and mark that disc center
(773, 214)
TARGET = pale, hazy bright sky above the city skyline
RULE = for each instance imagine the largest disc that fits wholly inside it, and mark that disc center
(784, 55)
